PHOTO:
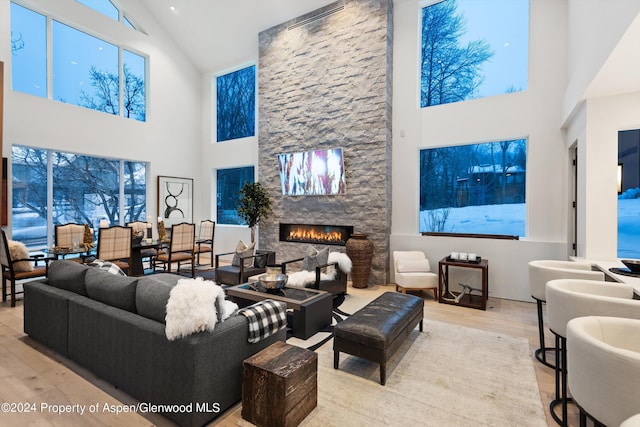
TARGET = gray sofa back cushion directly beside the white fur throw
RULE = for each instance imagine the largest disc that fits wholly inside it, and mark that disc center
(152, 294)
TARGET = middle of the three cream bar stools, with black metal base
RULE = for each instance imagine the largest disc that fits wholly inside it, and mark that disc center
(568, 299)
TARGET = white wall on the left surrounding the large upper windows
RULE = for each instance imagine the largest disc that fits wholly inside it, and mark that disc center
(170, 138)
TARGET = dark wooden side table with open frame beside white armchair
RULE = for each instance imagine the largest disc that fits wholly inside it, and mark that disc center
(468, 299)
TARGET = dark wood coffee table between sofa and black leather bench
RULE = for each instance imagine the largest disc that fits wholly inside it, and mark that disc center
(311, 309)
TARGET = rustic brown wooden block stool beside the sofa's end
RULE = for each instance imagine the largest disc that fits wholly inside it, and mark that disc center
(279, 385)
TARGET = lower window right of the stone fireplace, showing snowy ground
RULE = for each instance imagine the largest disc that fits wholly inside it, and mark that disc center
(474, 189)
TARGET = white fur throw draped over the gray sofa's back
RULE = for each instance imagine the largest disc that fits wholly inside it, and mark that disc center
(195, 305)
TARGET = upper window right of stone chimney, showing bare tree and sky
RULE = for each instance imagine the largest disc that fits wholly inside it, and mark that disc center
(473, 49)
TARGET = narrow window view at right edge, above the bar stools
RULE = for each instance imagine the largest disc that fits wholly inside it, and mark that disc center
(629, 194)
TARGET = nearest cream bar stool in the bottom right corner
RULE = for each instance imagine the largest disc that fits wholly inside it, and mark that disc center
(604, 356)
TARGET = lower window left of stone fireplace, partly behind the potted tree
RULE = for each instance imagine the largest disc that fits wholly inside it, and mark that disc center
(229, 183)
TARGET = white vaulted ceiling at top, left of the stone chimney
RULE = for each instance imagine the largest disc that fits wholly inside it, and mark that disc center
(217, 34)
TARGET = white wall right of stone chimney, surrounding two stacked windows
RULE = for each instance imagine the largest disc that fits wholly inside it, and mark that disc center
(534, 113)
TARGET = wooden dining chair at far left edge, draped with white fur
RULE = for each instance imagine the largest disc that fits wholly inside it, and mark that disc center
(17, 264)
